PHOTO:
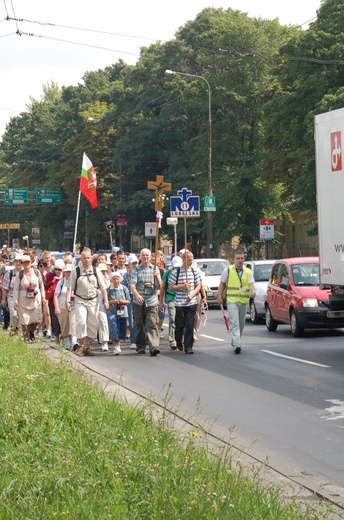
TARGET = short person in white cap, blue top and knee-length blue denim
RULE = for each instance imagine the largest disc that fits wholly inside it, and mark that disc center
(117, 314)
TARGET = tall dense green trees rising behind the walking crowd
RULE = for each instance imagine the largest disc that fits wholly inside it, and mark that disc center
(267, 81)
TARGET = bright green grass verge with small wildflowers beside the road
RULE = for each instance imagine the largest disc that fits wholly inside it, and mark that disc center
(68, 451)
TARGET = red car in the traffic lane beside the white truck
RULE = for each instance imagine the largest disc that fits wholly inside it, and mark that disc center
(295, 297)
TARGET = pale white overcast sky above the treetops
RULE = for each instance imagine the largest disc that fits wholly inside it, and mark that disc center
(53, 52)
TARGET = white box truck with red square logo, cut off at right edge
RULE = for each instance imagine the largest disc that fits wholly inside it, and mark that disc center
(329, 141)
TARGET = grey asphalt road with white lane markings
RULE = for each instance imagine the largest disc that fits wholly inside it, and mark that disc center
(281, 398)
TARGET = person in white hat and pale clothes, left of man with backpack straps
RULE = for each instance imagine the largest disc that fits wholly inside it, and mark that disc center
(66, 318)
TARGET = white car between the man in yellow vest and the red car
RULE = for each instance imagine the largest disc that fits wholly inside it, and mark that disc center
(261, 273)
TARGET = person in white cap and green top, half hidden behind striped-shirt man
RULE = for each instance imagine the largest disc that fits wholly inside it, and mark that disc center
(167, 297)
